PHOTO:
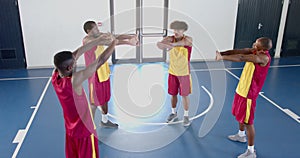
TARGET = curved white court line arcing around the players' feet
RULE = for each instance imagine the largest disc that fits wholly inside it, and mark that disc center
(176, 122)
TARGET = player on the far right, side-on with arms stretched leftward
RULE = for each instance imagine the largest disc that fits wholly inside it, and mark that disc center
(251, 81)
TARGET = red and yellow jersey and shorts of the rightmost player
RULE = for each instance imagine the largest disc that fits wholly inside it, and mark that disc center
(249, 86)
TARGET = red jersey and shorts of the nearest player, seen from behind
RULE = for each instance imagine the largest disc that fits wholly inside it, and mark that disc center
(81, 136)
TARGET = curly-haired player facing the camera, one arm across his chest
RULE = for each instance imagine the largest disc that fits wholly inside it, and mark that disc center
(179, 81)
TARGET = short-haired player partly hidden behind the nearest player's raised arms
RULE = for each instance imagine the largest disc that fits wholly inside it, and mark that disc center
(99, 82)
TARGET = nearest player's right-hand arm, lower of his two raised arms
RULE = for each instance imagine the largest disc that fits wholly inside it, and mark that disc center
(80, 76)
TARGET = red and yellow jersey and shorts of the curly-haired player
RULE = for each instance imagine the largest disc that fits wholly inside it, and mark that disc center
(179, 79)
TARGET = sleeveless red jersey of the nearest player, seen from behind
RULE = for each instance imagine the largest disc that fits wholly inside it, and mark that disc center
(76, 110)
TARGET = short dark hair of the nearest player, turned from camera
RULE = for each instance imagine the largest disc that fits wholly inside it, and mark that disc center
(60, 58)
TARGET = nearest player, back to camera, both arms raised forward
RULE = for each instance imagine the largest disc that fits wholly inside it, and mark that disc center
(81, 136)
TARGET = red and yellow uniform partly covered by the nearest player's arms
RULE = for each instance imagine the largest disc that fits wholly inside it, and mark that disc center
(99, 82)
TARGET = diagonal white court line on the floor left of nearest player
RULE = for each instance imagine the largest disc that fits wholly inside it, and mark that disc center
(20, 138)
